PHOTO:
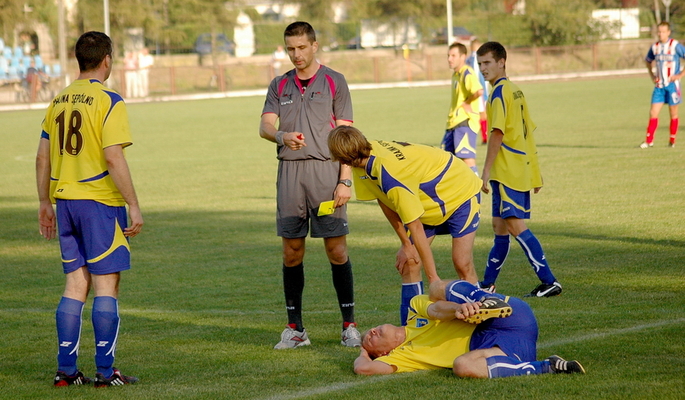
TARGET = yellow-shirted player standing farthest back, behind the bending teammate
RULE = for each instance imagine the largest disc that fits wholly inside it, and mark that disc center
(463, 119)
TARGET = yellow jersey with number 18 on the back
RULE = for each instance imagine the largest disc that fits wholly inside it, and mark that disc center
(81, 121)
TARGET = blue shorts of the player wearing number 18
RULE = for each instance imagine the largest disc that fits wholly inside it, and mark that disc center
(91, 234)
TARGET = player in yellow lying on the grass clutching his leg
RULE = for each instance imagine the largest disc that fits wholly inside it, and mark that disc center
(476, 333)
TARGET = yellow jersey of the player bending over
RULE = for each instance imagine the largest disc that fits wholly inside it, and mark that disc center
(415, 181)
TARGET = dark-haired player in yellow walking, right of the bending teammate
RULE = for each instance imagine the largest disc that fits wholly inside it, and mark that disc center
(512, 169)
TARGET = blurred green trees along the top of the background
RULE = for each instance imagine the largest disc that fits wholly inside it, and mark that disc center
(174, 24)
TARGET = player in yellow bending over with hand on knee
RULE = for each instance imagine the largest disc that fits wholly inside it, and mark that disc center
(422, 191)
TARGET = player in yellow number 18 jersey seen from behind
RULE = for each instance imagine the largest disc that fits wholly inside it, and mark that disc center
(80, 166)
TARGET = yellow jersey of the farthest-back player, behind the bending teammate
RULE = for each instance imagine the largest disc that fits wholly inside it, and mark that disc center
(464, 84)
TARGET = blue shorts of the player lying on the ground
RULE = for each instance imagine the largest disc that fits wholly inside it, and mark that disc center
(516, 335)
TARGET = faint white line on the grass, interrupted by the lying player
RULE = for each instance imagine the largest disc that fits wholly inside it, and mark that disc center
(342, 386)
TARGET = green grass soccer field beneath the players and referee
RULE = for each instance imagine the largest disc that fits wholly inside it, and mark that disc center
(203, 304)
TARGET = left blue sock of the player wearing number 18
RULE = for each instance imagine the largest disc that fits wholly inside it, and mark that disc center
(68, 318)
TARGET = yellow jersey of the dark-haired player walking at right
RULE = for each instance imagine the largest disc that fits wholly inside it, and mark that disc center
(516, 165)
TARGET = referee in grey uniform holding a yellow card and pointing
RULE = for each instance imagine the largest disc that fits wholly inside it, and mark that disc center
(307, 102)
